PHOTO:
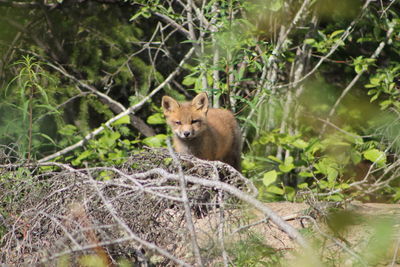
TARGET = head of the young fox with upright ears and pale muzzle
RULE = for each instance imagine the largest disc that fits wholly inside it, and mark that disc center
(188, 119)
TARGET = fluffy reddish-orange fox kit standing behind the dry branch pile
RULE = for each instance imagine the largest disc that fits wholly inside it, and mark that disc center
(206, 133)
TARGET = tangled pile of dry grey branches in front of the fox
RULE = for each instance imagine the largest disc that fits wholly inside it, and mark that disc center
(134, 212)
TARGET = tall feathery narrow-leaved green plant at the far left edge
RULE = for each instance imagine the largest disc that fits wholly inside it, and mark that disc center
(26, 107)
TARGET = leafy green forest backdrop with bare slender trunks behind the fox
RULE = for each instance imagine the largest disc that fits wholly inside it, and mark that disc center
(314, 85)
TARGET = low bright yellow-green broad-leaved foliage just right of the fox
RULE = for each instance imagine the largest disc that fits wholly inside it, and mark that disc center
(321, 166)
